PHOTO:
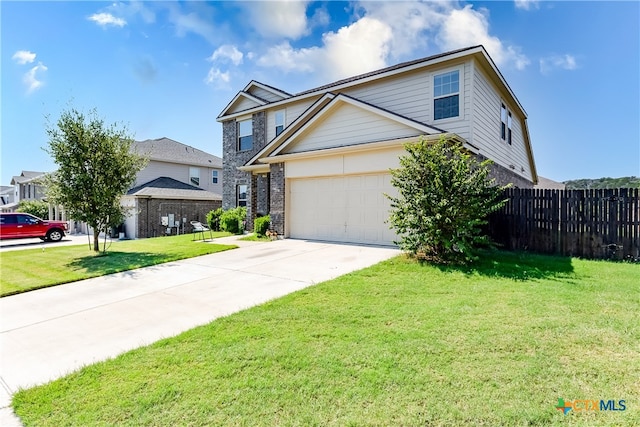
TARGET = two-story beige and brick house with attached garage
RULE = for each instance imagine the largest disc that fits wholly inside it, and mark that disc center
(318, 161)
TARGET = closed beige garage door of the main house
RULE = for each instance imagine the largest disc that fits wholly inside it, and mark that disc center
(341, 209)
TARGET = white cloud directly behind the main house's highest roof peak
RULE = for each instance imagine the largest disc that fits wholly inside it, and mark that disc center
(467, 27)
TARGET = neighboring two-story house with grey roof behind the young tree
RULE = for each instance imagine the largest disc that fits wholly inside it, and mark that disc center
(179, 184)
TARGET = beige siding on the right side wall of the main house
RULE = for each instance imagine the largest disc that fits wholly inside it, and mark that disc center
(486, 128)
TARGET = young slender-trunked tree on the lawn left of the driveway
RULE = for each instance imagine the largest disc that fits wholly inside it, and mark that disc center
(95, 168)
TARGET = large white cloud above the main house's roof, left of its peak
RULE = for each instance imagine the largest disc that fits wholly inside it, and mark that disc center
(360, 47)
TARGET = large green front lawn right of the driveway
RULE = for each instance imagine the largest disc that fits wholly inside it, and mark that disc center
(396, 344)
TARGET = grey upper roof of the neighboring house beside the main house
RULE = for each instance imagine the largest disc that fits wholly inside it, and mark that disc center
(168, 150)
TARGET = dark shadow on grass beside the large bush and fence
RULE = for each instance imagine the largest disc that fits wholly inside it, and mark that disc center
(516, 265)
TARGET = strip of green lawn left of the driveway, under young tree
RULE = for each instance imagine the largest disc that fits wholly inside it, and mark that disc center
(29, 269)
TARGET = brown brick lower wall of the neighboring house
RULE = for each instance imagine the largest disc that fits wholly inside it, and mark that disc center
(151, 212)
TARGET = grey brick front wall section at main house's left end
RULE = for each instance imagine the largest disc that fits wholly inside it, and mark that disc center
(231, 176)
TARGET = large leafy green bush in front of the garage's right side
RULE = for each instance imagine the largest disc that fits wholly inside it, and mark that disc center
(444, 198)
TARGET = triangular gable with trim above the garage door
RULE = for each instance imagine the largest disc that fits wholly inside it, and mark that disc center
(346, 121)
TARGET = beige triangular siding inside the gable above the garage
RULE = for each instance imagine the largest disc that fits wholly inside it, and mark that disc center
(349, 125)
